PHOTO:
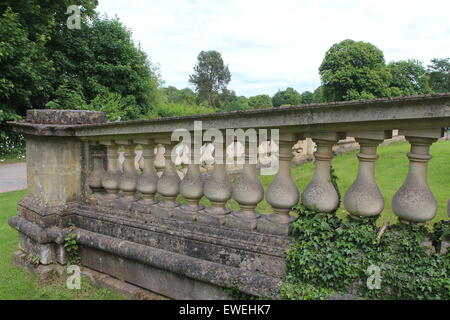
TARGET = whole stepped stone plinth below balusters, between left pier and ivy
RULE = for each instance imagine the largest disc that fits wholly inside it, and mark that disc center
(179, 258)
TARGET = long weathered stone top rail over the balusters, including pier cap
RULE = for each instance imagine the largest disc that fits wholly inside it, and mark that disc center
(422, 111)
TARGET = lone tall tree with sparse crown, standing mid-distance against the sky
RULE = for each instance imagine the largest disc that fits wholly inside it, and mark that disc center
(211, 76)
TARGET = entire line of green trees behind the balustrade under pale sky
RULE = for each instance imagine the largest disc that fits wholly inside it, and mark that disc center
(44, 64)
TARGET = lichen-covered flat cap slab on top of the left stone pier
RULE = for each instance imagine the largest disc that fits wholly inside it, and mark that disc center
(65, 117)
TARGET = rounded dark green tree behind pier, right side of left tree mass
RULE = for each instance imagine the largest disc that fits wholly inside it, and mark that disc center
(101, 60)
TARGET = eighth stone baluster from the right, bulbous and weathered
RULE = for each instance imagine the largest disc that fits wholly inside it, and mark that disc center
(168, 184)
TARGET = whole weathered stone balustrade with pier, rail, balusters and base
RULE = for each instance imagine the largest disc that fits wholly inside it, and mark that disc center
(75, 174)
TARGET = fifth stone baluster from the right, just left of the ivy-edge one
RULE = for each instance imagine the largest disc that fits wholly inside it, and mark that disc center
(248, 191)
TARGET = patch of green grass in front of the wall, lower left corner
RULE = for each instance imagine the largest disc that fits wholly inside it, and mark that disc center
(16, 283)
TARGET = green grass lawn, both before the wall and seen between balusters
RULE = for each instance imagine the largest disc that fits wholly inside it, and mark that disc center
(392, 167)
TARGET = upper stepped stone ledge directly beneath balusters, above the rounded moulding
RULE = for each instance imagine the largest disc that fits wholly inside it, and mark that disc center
(253, 254)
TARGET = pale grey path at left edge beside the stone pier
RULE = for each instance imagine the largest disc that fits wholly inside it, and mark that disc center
(13, 176)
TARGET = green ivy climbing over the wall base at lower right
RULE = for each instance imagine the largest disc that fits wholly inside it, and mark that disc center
(330, 256)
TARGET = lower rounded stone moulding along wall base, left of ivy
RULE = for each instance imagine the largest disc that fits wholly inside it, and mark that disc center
(201, 271)
